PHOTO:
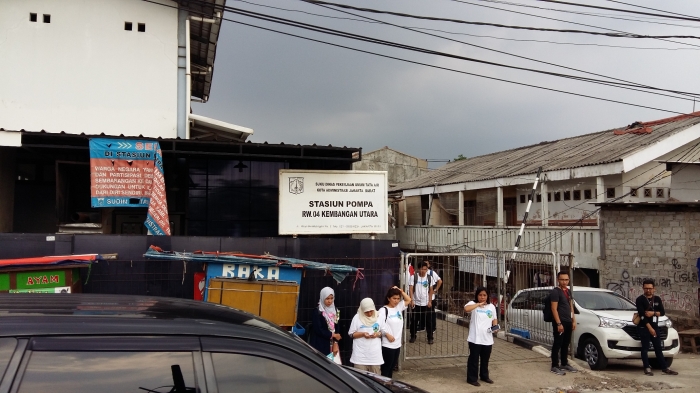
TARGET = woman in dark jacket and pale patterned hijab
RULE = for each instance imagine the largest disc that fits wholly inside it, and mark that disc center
(323, 336)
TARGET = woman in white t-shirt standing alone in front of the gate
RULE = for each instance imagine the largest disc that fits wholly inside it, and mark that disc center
(480, 339)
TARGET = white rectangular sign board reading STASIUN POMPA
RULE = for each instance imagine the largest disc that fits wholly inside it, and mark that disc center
(332, 202)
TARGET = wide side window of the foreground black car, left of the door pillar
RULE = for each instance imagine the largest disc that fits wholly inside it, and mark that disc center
(105, 371)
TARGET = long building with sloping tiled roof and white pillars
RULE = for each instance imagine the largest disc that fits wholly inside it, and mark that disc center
(480, 202)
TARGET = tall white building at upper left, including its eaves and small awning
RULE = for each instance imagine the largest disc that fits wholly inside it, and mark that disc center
(114, 67)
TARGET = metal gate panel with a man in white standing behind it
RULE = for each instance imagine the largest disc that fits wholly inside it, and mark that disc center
(460, 273)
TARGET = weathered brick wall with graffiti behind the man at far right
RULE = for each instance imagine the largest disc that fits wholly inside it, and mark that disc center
(663, 245)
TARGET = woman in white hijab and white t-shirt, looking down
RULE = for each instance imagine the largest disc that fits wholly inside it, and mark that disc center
(366, 331)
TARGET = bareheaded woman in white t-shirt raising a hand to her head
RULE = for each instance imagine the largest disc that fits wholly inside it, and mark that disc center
(395, 303)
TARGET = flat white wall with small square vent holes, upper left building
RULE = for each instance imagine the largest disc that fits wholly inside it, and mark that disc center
(83, 73)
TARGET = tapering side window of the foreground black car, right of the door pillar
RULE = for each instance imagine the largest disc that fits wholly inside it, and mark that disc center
(253, 374)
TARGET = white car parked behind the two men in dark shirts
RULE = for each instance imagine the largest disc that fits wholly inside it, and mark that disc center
(604, 328)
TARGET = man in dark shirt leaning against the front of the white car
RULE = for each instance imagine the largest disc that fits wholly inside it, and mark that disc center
(650, 308)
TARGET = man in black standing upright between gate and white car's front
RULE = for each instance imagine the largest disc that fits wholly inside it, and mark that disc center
(563, 324)
